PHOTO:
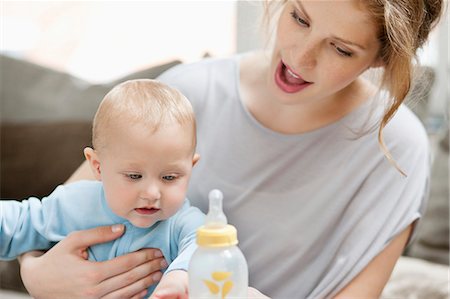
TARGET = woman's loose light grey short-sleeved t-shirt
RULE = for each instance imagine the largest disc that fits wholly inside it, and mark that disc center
(312, 209)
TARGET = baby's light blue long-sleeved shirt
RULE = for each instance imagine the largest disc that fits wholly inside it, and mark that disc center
(34, 224)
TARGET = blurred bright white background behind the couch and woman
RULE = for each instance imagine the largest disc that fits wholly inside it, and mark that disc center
(103, 40)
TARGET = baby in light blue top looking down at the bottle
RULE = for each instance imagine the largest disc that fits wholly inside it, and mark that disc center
(144, 138)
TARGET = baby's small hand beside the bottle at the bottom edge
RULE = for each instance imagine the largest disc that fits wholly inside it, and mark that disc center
(173, 285)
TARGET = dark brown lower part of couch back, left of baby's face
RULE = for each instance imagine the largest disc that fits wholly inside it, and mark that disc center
(36, 157)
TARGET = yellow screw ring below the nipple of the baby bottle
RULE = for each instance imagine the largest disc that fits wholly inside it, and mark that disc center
(217, 236)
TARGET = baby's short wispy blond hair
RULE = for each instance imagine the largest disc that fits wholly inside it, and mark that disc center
(142, 101)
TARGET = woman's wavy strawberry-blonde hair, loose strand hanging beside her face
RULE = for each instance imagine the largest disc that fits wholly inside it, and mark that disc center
(403, 27)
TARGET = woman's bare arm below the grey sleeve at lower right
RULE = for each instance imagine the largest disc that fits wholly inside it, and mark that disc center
(371, 281)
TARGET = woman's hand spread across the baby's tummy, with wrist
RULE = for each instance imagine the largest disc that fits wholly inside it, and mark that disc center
(65, 272)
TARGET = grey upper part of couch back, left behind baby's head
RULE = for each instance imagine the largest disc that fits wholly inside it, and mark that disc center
(31, 92)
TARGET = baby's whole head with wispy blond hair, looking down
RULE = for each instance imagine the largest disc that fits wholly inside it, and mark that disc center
(144, 138)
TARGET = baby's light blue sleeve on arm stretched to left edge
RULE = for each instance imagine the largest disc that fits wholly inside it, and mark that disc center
(35, 224)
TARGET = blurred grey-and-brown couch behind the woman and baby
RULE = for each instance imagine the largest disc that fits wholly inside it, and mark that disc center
(46, 121)
